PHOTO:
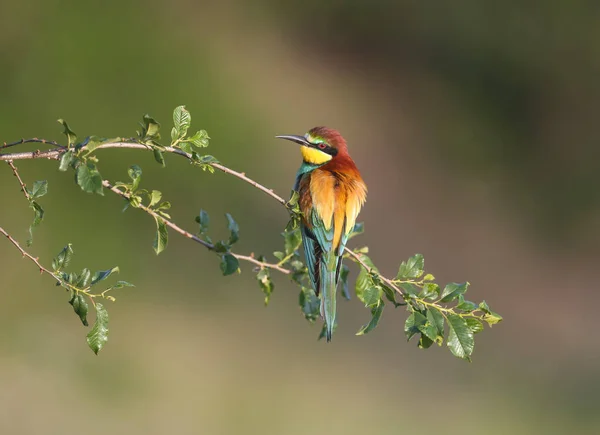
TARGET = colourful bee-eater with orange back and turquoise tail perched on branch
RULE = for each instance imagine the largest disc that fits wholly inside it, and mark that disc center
(332, 193)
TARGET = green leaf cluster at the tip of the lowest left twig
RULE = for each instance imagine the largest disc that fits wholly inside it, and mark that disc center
(81, 288)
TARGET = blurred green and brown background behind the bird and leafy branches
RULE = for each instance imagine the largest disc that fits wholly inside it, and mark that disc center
(475, 127)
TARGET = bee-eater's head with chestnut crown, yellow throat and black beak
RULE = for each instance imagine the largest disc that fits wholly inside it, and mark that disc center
(319, 145)
